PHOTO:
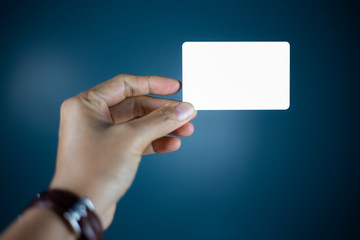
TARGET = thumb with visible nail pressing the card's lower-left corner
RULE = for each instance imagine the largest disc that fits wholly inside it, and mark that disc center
(162, 121)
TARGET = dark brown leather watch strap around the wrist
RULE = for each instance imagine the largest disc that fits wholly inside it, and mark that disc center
(61, 201)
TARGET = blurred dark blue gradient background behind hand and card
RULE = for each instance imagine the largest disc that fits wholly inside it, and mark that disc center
(243, 174)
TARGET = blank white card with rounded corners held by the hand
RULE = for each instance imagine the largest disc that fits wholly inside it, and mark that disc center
(236, 75)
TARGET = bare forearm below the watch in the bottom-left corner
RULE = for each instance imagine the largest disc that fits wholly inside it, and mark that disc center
(39, 224)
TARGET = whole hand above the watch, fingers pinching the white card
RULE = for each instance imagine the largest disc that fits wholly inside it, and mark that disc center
(104, 132)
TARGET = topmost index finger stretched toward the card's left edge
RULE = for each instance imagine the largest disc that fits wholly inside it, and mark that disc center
(122, 86)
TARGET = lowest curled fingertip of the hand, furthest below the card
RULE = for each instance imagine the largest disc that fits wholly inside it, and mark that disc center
(163, 145)
